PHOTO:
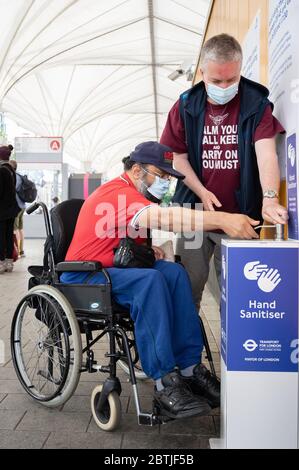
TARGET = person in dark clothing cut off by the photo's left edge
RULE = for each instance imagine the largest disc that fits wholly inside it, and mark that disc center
(8, 209)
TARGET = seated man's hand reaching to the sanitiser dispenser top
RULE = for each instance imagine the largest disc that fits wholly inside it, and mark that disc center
(239, 226)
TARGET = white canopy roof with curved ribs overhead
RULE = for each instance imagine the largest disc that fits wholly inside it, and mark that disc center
(96, 71)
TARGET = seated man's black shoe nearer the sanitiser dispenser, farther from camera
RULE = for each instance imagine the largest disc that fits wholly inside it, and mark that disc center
(205, 384)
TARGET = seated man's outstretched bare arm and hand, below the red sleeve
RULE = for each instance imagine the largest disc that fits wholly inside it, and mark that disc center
(180, 219)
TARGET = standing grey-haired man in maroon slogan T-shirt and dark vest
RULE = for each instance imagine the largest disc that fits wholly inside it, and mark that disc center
(223, 134)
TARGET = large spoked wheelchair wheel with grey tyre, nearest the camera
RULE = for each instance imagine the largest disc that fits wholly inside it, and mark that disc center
(46, 346)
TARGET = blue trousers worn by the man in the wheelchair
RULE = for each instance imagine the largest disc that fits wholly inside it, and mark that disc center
(167, 328)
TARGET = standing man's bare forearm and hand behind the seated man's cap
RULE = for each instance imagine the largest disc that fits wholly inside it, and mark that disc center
(181, 163)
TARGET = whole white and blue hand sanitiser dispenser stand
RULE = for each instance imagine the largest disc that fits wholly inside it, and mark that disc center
(259, 344)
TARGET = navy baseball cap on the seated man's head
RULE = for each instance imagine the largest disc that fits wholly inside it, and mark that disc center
(155, 154)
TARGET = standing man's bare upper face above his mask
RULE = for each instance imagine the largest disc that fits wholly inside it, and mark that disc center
(222, 75)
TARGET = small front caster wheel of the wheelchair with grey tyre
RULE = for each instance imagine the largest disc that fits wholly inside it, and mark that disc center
(109, 416)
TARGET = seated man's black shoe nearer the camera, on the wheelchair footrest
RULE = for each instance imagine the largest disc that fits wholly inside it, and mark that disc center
(177, 401)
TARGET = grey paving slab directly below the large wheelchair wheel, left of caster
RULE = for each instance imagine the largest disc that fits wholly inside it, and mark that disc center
(54, 420)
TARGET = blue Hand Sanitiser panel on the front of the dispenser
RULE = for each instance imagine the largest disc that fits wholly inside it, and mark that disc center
(260, 327)
